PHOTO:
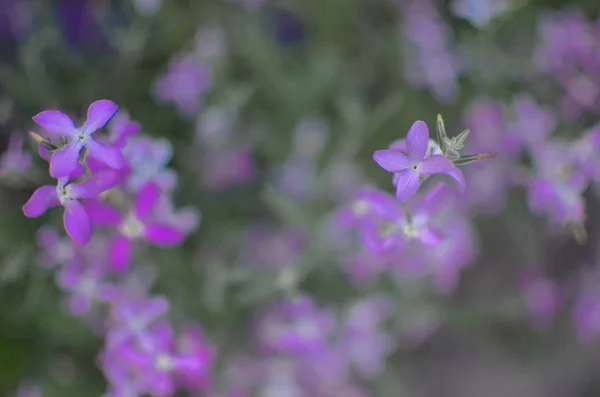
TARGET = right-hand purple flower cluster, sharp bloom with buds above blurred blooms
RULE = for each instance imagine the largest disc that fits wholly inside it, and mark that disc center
(420, 233)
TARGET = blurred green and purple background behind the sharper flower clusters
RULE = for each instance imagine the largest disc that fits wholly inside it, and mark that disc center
(259, 119)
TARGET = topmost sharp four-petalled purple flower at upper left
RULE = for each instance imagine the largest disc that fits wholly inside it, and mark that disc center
(64, 161)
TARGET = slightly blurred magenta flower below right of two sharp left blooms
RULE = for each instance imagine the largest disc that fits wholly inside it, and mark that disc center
(138, 225)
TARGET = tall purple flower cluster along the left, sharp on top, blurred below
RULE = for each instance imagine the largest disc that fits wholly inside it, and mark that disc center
(114, 202)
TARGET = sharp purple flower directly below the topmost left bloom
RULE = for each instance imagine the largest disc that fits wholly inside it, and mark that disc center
(76, 220)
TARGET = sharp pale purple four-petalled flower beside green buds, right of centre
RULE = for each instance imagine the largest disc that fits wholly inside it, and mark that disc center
(409, 168)
